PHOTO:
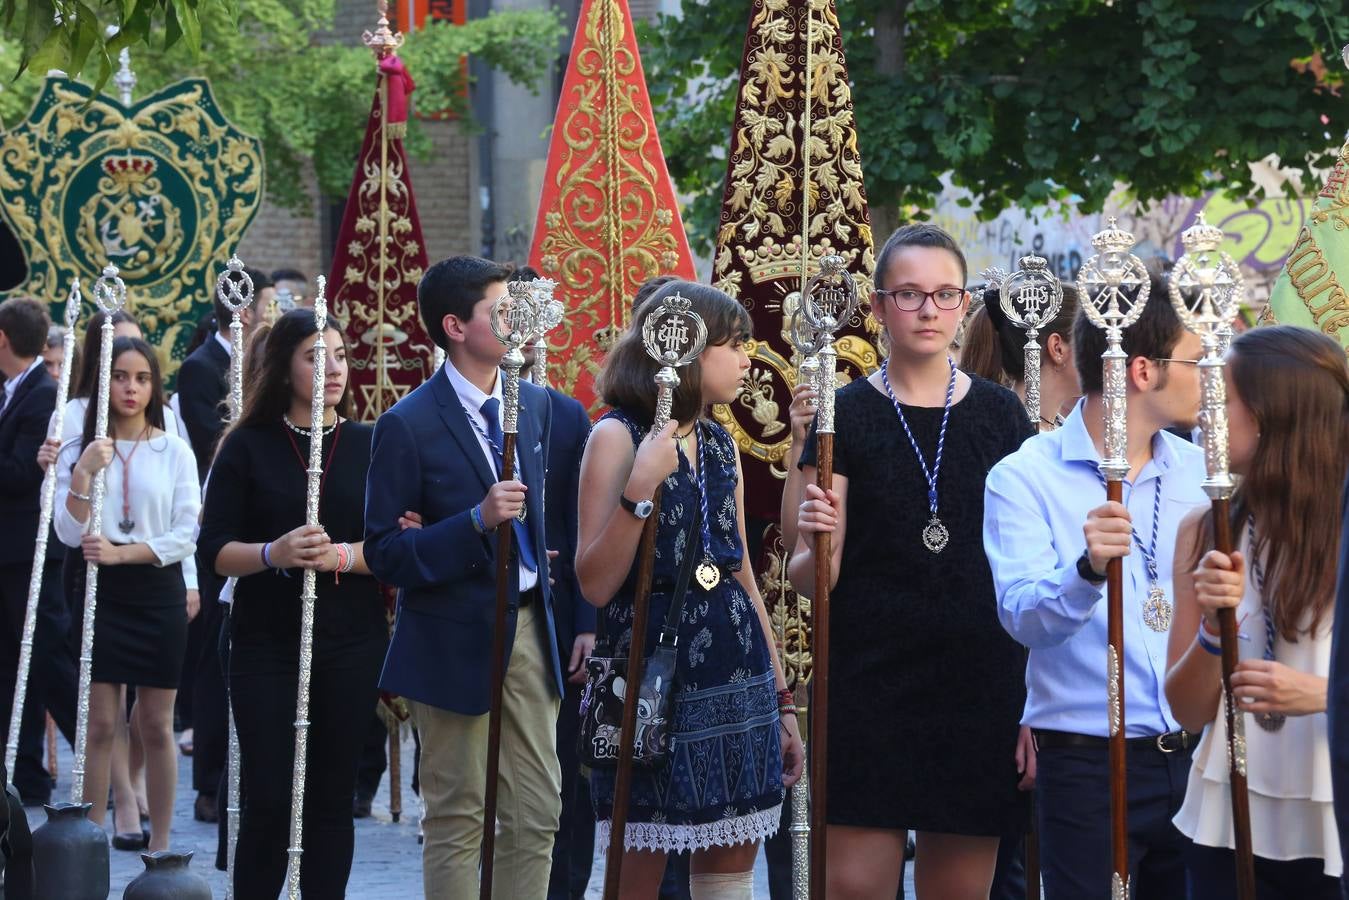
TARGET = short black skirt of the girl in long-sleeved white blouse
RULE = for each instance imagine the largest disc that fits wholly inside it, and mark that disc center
(141, 625)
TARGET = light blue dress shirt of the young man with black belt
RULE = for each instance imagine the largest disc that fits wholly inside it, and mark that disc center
(1037, 503)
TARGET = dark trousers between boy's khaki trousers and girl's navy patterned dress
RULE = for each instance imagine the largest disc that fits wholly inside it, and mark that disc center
(574, 847)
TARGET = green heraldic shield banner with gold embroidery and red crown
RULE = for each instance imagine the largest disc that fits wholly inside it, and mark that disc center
(164, 190)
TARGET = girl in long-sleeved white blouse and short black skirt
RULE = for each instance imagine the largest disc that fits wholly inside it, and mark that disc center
(149, 520)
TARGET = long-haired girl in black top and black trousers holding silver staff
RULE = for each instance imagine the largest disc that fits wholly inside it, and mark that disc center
(254, 530)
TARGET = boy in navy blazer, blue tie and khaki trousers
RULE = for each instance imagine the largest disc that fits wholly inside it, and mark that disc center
(438, 451)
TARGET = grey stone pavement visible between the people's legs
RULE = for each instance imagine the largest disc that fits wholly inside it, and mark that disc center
(388, 863)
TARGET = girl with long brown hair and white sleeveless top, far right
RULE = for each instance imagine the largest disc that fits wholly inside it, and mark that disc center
(1289, 420)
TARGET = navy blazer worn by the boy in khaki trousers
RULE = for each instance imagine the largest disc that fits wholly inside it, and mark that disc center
(426, 458)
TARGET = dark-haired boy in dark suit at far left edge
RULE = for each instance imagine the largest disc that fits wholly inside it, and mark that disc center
(28, 401)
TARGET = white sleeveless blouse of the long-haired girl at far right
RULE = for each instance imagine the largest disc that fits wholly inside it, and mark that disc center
(1288, 771)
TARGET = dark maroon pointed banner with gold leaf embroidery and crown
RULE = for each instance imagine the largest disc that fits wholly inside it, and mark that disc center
(794, 195)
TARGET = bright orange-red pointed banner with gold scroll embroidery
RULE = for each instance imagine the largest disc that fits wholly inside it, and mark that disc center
(608, 219)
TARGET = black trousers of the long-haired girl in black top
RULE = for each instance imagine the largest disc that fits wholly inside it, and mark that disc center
(343, 692)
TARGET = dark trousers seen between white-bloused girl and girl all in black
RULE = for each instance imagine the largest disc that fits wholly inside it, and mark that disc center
(210, 714)
